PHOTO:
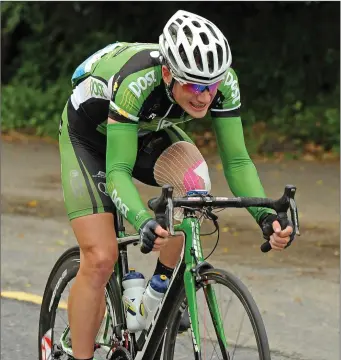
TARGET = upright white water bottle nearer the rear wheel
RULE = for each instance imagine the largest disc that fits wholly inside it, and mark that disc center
(134, 286)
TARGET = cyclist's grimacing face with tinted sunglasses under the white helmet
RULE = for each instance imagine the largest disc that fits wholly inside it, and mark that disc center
(191, 98)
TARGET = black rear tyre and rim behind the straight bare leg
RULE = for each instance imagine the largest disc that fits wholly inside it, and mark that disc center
(64, 271)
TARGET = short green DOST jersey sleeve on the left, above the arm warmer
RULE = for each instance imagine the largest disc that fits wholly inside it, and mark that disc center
(130, 93)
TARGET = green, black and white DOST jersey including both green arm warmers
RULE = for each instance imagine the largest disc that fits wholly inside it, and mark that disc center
(123, 81)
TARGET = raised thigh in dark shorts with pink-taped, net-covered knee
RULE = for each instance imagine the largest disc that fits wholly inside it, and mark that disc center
(169, 156)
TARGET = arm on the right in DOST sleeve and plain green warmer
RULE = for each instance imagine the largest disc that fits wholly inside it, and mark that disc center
(239, 170)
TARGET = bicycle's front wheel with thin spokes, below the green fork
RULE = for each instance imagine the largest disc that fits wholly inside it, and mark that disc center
(234, 337)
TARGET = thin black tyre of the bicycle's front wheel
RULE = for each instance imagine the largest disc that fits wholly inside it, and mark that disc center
(240, 290)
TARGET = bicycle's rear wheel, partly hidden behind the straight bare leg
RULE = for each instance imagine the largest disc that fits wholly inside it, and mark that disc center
(54, 341)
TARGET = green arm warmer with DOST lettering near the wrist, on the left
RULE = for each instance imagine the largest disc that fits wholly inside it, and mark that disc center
(120, 160)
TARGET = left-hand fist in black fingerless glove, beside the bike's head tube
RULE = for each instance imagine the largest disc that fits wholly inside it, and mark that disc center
(152, 236)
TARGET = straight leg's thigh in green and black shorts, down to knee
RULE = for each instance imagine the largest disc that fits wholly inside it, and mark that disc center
(89, 207)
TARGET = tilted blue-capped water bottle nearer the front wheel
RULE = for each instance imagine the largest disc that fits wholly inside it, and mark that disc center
(153, 294)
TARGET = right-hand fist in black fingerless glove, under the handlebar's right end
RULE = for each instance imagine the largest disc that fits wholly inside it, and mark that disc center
(272, 229)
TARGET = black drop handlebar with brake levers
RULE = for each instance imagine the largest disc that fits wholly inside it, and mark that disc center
(163, 207)
